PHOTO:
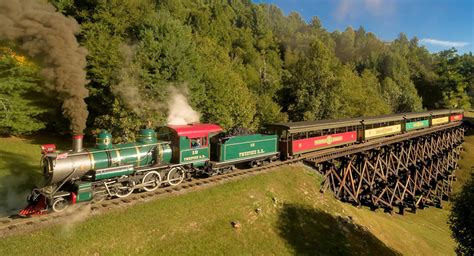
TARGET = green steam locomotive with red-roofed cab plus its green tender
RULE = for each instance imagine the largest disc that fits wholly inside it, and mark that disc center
(116, 170)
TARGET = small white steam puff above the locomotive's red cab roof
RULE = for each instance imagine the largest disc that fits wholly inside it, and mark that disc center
(180, 112)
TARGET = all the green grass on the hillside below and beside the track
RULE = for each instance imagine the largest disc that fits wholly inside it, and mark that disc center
(294, 219)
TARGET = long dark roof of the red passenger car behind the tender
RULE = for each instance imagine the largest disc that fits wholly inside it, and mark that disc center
(303, 126)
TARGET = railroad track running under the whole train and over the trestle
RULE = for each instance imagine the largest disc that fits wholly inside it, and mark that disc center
(12, 225)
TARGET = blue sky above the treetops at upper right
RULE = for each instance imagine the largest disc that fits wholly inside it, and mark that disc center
(438, 24)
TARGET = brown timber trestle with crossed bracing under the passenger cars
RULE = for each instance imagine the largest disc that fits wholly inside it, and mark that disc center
(411, 173)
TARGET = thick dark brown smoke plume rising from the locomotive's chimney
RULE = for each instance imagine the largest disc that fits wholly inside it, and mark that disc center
(49, 37)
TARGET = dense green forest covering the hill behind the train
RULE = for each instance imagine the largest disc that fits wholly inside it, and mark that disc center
(237, 62)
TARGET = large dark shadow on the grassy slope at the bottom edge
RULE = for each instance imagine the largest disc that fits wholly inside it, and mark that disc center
(312, 232)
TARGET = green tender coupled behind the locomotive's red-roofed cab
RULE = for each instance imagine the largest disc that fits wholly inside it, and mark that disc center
(242, 148)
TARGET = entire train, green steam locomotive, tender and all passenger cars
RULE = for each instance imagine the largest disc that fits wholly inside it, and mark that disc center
(177, 152)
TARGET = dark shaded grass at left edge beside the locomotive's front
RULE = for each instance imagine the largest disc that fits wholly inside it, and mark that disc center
(21, 177)
